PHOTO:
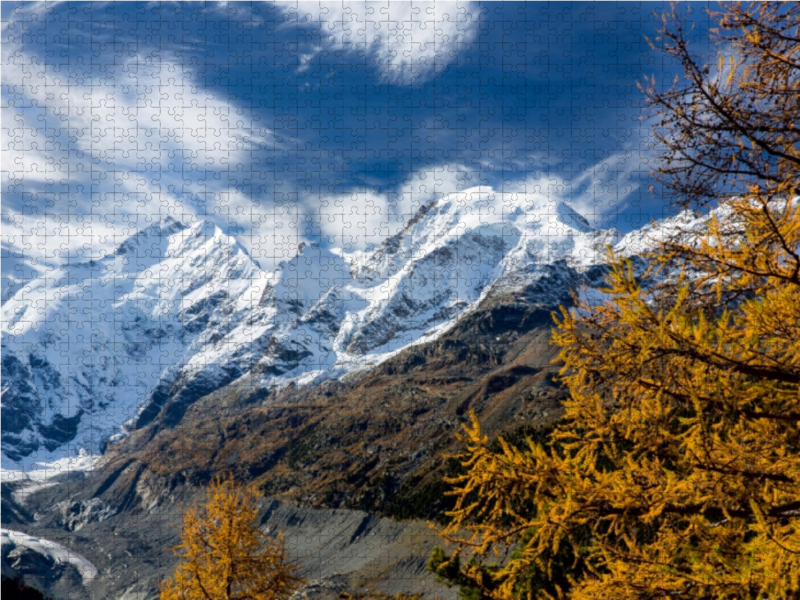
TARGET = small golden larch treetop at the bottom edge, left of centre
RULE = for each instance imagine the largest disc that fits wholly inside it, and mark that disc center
(224, 555)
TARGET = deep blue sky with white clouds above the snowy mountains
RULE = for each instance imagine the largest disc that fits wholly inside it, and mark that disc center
(329, 122)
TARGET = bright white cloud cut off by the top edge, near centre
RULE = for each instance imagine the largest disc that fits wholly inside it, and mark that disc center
(408, 41)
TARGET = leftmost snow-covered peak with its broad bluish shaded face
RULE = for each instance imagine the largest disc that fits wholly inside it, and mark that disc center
(82, 350)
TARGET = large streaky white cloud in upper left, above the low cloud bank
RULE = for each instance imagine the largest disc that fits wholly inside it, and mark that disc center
(141, 113)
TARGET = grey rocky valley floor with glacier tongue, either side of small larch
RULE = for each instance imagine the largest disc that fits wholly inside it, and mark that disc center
(81, 548)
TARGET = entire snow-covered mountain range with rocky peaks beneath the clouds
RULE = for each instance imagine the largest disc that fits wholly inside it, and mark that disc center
(178, 311)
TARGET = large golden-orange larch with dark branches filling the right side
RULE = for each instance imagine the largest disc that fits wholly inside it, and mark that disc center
(676, 469)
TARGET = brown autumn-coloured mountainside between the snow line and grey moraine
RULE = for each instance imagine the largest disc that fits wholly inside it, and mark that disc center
(377, 441)
